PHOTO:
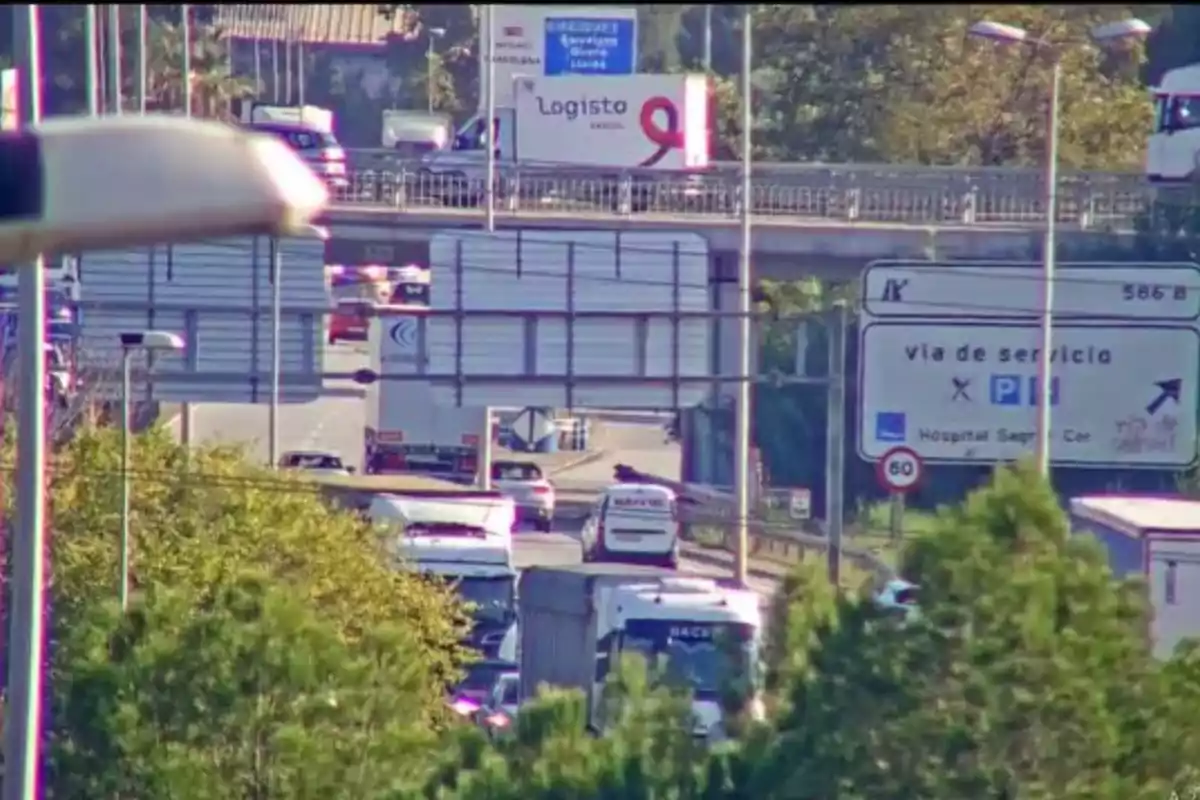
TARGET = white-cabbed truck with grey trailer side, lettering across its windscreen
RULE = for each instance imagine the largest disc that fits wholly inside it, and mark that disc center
(575, 623)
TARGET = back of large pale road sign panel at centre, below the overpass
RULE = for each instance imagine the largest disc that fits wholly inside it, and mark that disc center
(574, 320)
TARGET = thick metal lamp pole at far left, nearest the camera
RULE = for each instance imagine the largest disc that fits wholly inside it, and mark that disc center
(23, 713)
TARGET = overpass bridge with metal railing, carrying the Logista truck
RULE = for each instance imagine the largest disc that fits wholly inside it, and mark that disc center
(809, 221)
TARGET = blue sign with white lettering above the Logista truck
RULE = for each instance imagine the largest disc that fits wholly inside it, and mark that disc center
(591, 47)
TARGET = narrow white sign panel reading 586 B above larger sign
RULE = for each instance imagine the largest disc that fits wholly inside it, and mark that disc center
(1156, 293)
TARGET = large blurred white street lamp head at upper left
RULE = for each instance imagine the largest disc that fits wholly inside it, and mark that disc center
(87, 184)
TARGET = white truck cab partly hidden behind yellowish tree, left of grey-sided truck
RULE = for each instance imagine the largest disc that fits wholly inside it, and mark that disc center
(467, 542)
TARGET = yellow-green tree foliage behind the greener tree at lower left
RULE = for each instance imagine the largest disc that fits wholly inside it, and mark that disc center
(208, 520)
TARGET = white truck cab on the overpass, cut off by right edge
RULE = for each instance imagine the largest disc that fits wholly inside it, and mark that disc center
(1173, 154)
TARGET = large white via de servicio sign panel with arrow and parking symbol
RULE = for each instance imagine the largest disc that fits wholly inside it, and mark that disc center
(967, 393)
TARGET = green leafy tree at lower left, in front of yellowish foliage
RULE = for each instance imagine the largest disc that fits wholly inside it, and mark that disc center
(242, 690)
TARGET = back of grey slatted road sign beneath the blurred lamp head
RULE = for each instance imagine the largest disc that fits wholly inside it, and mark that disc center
(218, 297)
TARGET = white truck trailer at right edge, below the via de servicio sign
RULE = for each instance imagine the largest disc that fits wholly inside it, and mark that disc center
(1156, 538)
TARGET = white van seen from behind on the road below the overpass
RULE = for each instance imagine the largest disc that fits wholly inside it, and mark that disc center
(634, 522)
